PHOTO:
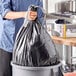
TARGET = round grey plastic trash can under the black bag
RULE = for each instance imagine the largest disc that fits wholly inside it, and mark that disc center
(36, 71)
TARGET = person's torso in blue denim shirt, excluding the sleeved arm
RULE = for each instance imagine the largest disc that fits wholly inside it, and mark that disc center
(7, 27)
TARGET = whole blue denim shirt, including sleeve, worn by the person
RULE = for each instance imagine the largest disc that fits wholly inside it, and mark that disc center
(9, 28)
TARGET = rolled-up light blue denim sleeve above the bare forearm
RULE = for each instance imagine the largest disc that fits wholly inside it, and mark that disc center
(5, 7)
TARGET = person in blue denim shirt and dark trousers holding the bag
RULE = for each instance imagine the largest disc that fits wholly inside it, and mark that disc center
(12, 14)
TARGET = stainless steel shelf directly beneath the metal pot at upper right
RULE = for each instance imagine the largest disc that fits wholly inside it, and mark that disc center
(66, 17)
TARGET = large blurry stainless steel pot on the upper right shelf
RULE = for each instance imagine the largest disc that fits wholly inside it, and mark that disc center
(66, 6)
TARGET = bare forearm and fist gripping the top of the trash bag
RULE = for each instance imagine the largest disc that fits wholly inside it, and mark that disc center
(14, 15)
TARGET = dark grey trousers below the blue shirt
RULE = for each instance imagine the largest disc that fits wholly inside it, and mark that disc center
(5, 67)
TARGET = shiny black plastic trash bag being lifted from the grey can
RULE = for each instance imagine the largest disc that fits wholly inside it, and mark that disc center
(34, 46)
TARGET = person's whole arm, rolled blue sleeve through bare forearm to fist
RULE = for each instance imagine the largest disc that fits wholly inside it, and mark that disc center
(7, 13)
